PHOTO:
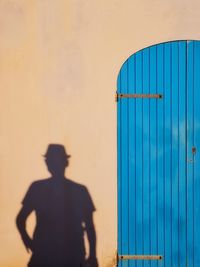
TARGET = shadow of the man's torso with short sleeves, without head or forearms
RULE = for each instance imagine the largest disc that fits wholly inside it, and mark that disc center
(61, 208)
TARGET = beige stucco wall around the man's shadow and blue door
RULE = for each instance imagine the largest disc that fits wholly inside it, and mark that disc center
(59, 61)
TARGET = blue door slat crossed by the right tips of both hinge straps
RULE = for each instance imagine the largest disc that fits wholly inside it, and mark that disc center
(160, 153)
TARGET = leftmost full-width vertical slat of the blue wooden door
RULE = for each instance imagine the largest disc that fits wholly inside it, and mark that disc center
(124, 165)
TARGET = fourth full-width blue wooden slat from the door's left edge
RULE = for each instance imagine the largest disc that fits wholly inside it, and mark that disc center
(146, 145)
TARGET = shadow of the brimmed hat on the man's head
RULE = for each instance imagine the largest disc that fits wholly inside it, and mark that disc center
(56, 150)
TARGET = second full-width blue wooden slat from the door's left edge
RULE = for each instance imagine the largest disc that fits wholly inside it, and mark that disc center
(132, 156)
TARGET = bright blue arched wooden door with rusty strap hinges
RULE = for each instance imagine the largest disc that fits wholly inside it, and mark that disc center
(158, 103)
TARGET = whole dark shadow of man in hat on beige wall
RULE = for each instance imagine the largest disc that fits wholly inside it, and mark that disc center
(63, 214)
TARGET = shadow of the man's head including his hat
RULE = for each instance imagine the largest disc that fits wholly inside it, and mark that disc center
(56, 159)
